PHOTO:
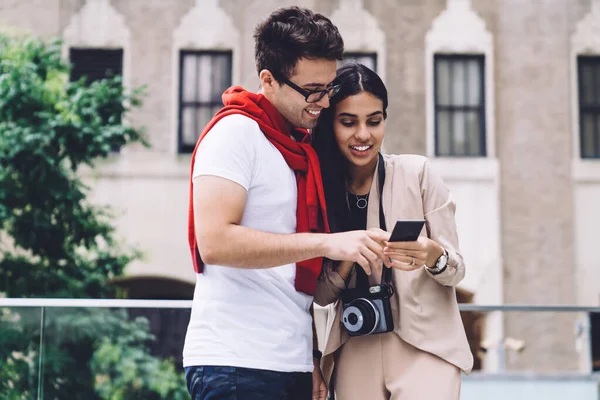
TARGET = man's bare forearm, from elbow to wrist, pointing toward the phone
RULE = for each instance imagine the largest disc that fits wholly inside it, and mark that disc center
(242, 247)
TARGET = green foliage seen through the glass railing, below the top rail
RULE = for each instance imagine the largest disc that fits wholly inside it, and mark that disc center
(87, 354)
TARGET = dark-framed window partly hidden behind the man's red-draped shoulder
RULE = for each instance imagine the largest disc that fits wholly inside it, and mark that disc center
(204, 76)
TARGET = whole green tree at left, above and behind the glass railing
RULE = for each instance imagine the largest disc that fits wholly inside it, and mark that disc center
(54, 243)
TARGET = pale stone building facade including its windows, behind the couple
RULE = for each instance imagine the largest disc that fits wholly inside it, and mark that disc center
(503, 96)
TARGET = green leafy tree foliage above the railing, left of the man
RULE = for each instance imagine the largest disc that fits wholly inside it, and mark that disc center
(49, 127)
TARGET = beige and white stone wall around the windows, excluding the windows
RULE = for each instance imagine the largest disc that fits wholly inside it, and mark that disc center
(526, 214)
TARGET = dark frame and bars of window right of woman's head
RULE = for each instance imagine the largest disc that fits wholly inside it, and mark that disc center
(481, 108)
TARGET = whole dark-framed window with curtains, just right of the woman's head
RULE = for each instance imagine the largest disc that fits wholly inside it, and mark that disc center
(459, 106)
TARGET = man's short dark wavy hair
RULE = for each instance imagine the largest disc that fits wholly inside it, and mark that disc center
(292, 33)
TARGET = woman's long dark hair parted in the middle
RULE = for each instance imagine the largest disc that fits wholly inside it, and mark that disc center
(353, 79)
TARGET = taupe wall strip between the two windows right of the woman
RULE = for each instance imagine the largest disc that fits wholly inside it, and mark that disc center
(534, 146)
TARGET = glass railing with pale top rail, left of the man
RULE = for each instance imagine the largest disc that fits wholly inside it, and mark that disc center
(92, 349)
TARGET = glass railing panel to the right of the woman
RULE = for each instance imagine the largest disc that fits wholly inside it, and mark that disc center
(533, 352)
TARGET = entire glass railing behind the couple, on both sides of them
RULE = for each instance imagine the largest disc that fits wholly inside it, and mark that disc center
(131, 349)
